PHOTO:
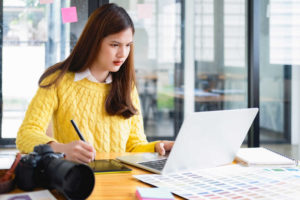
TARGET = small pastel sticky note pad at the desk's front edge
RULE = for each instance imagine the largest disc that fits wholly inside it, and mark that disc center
(153, 194)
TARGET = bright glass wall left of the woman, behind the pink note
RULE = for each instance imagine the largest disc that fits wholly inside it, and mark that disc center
(34, 38)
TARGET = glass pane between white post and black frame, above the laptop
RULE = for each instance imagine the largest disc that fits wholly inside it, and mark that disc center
(220, 54)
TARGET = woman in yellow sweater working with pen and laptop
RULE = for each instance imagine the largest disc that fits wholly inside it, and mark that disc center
(94, 86)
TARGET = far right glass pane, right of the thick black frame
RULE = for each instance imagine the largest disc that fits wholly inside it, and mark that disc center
(279, 79)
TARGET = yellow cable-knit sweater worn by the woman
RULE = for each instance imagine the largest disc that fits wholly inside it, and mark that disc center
(84, 102)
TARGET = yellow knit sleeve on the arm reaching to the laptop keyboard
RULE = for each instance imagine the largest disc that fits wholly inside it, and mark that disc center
(137, 141)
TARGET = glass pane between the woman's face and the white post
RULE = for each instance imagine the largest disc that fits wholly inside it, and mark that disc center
(157, 49)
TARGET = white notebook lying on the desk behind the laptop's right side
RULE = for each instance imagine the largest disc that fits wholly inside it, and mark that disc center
(262, 156)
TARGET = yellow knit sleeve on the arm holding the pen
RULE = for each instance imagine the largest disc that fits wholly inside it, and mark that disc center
(32, 131)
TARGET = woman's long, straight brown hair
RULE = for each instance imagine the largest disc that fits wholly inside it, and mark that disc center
(106, 20)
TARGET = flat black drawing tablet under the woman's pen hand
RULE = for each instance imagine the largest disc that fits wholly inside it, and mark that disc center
(108, 166)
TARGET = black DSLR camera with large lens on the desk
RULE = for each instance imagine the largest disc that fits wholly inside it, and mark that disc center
(44, 168)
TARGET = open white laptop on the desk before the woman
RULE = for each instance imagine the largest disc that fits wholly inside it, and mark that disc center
(205, 139)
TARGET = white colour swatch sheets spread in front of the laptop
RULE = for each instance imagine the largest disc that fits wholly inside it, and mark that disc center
(231, 182)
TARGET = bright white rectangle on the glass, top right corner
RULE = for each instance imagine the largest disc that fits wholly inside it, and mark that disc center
(284, 31)
